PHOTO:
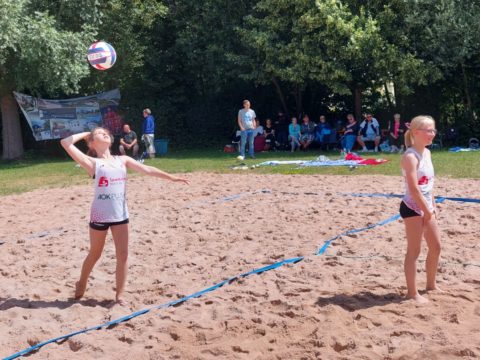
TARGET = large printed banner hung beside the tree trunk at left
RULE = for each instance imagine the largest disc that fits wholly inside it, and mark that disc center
(56, 119)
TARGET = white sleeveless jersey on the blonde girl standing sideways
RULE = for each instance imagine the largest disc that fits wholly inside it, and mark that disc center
(425, 180)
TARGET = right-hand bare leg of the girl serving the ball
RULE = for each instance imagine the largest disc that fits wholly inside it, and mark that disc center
(120, 238)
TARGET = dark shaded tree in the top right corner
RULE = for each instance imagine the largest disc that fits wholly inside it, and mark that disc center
(447, 36)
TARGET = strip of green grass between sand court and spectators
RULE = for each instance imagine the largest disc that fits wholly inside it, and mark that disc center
(33, 173)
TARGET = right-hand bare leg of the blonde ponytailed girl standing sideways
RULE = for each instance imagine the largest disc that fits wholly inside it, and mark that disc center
(432, 237)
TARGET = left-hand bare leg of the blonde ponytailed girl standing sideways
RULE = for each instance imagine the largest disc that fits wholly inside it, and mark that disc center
(414, 232)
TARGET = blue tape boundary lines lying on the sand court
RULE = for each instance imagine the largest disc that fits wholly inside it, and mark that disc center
(321, 251)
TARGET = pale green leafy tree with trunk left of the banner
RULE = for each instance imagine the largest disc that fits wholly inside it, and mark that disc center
(37, 51)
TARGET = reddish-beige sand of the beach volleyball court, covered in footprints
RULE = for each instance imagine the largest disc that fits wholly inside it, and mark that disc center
(346, 304)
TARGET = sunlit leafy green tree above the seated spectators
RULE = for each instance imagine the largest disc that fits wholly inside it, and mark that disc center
(339, 44)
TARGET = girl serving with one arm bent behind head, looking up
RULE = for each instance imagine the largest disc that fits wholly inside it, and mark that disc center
(109, 207)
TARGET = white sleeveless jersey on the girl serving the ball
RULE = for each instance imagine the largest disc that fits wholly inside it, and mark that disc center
(109, 204)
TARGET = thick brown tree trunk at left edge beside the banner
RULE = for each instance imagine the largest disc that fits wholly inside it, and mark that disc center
(11, 131)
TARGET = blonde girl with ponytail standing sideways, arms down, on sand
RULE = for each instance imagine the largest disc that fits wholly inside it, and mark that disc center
(418, 205)
